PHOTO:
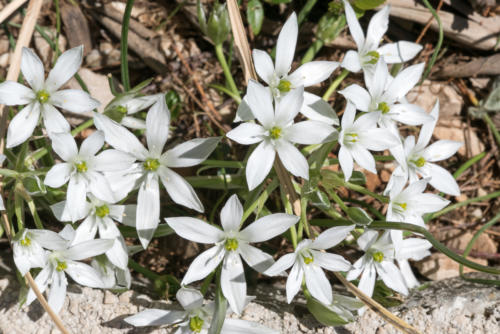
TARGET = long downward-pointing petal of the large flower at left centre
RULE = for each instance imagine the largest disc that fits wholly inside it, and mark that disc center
(148, 209)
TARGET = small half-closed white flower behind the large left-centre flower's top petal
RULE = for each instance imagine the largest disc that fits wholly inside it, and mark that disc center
(129, 105)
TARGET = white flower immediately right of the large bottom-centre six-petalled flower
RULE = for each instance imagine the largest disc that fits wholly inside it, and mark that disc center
(308, 259)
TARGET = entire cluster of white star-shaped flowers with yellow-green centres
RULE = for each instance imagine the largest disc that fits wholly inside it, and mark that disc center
(98, 180)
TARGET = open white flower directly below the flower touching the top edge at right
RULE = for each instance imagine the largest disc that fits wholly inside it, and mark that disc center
(385, 96)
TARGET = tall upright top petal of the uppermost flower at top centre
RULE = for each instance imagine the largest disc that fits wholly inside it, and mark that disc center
(285, 47)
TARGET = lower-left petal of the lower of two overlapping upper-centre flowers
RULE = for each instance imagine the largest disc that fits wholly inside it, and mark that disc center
(259, 164)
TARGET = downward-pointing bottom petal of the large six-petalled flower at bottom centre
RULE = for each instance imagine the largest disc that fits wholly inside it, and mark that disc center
(232, 281)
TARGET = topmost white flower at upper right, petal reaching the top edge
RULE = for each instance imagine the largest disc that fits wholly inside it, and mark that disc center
(369, 51)
